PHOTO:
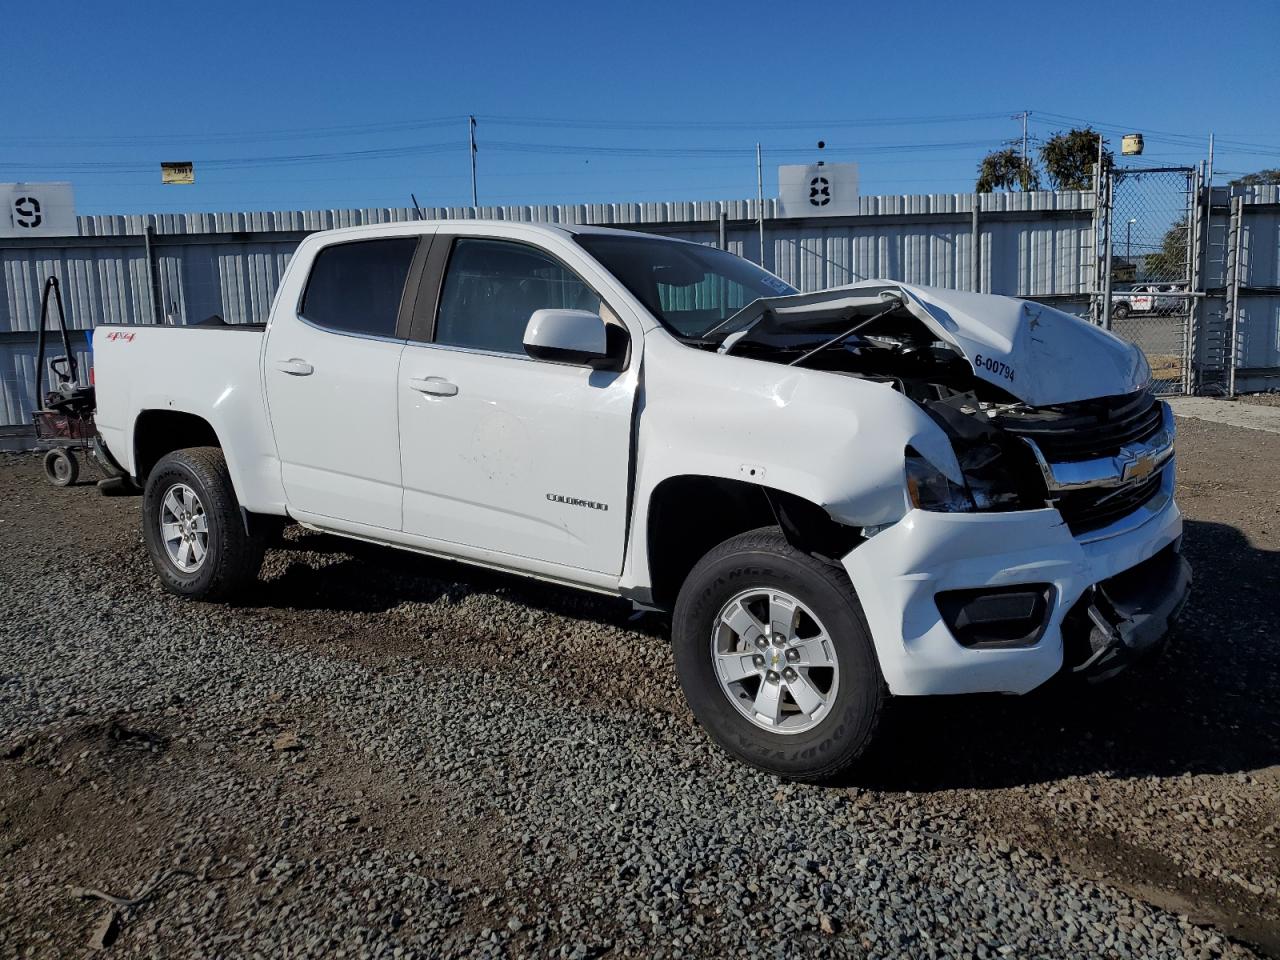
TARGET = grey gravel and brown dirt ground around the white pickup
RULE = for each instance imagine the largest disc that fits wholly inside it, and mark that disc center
(383, 756)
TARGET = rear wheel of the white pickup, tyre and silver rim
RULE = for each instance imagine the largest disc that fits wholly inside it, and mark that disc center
(194, 528)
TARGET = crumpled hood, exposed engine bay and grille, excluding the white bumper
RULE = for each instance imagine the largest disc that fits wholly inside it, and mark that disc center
(1087, 438)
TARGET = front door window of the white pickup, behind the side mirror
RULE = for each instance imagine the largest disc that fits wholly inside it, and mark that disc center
(493, 287)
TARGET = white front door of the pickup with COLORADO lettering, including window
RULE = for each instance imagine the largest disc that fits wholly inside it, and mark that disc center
(502, 452)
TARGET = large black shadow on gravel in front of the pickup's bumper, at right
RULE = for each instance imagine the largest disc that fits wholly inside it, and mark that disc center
(1209, 705)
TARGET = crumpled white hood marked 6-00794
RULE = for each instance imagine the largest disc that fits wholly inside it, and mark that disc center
(1039, 354)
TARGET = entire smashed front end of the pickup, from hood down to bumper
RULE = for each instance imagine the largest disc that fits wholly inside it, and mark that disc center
(1052, 542)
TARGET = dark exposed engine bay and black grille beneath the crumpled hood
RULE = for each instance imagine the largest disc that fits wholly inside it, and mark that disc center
(1004, 445)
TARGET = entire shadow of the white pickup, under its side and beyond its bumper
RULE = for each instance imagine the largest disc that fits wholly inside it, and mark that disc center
(1209, 705)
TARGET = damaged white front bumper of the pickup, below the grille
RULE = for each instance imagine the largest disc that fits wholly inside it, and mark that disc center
(899, 573)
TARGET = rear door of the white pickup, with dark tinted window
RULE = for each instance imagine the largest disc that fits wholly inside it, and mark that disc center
(331, 364)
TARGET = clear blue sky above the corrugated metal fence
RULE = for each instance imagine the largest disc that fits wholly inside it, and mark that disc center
(326, 104)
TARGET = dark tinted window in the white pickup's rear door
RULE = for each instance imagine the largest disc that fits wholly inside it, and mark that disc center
(358, 287)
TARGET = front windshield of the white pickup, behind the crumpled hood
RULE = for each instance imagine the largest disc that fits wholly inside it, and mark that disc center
(689, 287)
